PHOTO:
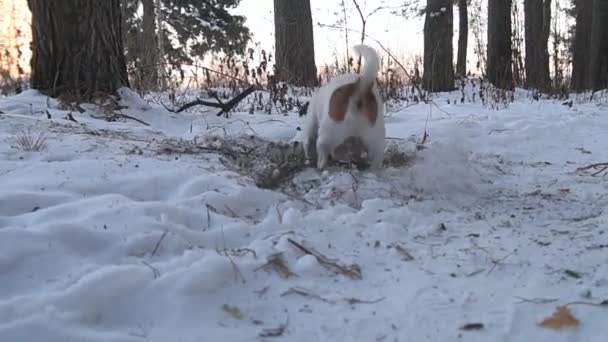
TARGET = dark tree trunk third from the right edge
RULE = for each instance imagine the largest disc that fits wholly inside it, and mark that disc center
(537, 28)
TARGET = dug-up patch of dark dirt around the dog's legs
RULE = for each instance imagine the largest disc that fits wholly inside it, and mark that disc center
(273, 164)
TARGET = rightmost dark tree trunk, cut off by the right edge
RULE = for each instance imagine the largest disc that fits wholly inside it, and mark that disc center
(598, 55)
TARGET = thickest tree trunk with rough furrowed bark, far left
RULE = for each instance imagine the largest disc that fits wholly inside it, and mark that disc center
(77, 48)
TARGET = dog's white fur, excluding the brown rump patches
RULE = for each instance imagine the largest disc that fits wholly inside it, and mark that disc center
(325, 134)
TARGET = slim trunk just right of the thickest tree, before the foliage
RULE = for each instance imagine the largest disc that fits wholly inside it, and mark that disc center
(149, 44)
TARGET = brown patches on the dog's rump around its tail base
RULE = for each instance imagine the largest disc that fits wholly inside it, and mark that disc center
(357, 98)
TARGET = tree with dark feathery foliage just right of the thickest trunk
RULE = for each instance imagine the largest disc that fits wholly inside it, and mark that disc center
(179, 31)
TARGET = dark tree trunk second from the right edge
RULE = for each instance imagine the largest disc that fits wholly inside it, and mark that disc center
(582, 44)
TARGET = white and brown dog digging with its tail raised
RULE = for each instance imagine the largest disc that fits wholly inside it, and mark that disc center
(348, 106)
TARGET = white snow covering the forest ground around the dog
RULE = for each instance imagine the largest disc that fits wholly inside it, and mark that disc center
(103, 239)
